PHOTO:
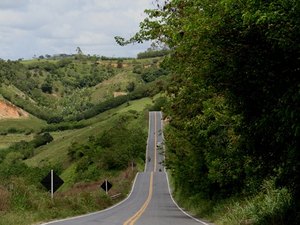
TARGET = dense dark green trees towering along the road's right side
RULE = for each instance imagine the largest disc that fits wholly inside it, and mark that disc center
(234, 100)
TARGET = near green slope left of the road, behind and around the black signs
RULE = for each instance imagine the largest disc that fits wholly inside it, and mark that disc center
(83, 158)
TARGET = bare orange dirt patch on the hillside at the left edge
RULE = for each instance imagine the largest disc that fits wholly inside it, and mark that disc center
(10, 111)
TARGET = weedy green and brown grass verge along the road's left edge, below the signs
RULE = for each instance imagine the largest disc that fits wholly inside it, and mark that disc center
(32, 206)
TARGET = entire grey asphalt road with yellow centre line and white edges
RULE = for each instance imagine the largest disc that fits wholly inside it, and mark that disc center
(150, 202)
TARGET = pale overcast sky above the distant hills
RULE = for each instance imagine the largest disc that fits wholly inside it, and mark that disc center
(39, 27)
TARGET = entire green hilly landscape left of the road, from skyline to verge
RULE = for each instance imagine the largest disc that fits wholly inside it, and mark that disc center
(84, 118)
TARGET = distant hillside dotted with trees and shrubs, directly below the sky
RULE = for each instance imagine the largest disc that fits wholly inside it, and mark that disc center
(63, 89)
